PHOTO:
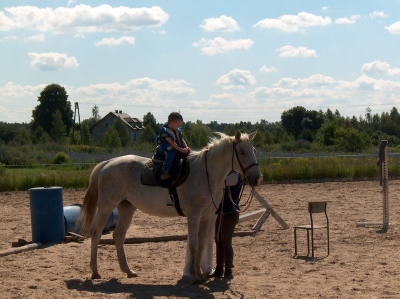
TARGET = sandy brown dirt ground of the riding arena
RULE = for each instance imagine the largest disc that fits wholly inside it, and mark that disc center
(363, 263)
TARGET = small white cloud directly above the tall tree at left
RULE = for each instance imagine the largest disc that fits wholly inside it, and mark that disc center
(52, 61)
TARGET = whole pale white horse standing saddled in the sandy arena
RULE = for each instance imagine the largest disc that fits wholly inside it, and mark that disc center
(117, 183)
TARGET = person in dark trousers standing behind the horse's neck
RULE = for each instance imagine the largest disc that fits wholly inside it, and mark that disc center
(227, 219)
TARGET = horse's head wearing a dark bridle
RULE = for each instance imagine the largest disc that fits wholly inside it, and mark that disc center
(244, 158)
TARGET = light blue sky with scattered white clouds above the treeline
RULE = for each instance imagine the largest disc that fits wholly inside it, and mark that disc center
(224, 61)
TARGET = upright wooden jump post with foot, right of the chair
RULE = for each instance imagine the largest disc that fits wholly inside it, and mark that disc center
(384, 182)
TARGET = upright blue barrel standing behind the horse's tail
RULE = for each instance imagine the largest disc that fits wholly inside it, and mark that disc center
(46, 204)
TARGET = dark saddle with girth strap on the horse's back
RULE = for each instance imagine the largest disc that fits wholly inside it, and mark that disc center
(151, 176)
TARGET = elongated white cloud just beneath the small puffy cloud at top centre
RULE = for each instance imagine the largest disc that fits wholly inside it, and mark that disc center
(220, 45)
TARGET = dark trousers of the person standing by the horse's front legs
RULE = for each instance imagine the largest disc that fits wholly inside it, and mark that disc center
(224, 229)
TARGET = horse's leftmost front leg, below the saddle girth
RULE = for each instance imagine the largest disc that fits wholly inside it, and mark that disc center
(194, 264)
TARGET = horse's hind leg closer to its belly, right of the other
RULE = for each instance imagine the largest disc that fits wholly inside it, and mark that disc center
(125, 211)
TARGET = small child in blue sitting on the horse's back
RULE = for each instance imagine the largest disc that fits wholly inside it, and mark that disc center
(170, 142)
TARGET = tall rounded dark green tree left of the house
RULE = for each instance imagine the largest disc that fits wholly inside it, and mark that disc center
(52, 98)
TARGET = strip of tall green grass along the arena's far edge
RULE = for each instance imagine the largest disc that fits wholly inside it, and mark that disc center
(273, 170)
